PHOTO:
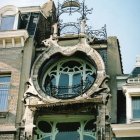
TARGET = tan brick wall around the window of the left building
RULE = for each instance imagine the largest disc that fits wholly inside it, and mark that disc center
(10, 62)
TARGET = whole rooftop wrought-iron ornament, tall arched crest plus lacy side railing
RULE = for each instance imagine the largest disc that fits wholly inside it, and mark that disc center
(71, 28)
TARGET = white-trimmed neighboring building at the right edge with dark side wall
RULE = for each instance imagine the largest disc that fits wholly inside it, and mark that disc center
(128, 99)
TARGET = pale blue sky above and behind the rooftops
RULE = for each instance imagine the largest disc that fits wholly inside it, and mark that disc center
(122, 18)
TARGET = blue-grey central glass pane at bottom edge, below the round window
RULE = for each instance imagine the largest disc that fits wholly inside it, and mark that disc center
(67, 136)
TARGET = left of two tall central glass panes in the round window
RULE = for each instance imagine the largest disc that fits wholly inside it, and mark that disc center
(63, 84)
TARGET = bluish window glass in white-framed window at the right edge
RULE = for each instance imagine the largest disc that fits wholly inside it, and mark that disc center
(136, 107)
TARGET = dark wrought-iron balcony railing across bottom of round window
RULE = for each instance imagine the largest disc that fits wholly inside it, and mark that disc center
(66, 92)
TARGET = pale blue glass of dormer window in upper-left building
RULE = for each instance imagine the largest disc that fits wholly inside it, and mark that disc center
(7, 23)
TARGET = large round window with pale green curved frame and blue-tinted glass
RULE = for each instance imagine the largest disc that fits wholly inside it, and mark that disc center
(66, 77)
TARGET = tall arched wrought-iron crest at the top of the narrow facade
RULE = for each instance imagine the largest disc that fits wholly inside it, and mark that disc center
(71, 6)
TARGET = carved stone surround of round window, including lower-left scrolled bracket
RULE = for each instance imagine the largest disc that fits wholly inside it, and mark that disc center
(35, 95)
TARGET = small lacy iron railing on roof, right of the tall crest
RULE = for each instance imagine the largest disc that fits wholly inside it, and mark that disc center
(100, 34)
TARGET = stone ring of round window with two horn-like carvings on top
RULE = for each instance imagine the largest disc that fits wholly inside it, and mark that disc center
(54, 48)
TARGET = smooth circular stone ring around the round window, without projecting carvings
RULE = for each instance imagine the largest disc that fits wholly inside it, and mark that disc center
(92, 54)
